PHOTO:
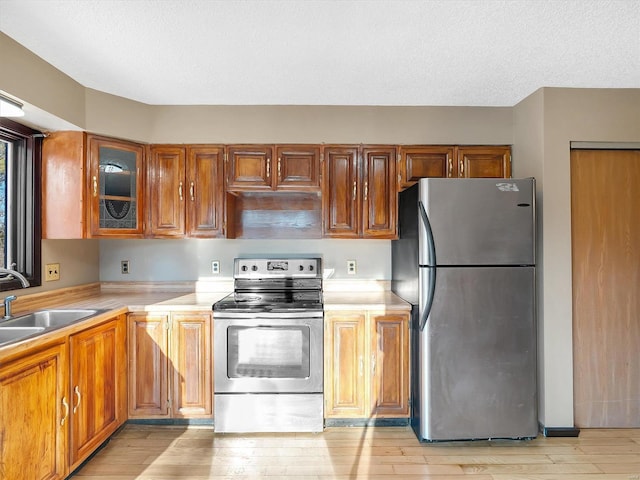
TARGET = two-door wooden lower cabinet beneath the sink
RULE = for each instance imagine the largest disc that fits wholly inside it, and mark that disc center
(61, 402)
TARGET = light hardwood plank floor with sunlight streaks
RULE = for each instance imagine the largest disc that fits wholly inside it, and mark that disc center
(169, 453)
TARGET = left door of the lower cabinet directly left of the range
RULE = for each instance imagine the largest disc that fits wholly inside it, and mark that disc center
(148, 365)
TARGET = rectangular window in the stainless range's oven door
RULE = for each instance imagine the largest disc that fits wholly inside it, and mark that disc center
(268, 352)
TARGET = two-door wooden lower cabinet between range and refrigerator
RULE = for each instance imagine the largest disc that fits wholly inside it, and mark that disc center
(366, 364)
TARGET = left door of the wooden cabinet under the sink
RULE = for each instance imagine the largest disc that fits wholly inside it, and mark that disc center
(34, 416)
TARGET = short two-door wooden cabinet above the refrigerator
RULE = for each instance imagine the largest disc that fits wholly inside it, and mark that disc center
(443, 161)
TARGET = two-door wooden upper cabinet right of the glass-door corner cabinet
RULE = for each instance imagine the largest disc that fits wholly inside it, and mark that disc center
(185, 189)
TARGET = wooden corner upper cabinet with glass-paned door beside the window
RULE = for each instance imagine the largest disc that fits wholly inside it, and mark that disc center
(91, 187)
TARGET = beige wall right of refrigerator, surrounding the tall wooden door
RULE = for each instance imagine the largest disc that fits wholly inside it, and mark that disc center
(545, 124)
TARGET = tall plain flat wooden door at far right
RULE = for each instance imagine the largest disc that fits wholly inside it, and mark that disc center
(605, 232)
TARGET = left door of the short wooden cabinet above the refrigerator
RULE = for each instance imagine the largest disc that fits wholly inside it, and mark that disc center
(418, 162)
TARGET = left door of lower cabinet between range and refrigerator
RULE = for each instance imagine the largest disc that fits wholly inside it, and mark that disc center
(344, 369)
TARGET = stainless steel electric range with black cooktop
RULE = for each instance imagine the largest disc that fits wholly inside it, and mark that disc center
(268, 348)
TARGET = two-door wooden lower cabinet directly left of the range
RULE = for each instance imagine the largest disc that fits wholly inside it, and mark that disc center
(170, 365)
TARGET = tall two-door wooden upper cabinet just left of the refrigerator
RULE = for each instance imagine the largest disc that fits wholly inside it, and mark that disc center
(359, 192)
